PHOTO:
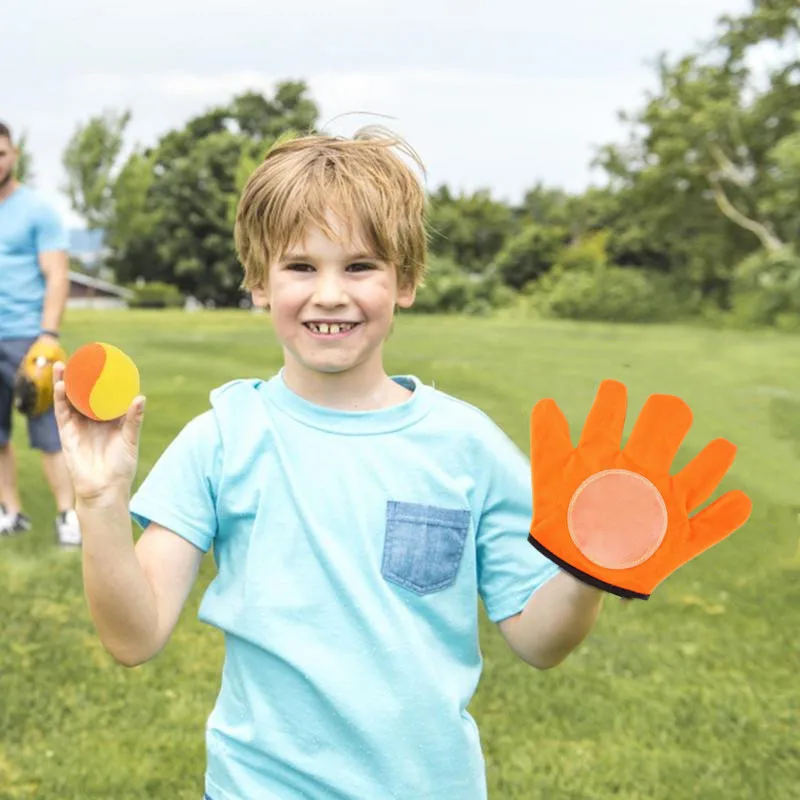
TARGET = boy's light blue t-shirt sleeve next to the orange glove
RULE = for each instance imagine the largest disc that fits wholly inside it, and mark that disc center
(510, 569)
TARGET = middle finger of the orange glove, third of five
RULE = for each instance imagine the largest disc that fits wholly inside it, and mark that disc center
(658, 433)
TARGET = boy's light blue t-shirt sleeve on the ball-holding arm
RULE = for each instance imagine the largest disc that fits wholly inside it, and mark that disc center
(180, 491)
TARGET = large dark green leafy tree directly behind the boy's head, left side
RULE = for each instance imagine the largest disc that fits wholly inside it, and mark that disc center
(172, 204)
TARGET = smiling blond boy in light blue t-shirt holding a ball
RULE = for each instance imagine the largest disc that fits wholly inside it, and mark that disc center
(355, 517)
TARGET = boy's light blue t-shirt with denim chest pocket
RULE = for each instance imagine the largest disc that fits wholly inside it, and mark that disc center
(351, 548)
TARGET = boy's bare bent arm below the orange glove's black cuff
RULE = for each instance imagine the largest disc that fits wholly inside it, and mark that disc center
(556, 619)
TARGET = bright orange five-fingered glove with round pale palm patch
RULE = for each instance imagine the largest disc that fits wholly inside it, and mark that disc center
(615, 518)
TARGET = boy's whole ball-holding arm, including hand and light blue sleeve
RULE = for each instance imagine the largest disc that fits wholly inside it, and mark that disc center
(135, 592)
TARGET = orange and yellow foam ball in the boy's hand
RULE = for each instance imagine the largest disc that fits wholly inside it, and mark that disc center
(101, 381)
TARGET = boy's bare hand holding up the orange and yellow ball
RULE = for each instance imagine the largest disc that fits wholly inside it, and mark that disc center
(101, 456)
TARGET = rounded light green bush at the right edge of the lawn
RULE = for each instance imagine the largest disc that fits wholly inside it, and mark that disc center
(766, 289)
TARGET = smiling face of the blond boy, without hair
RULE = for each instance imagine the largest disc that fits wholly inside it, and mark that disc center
(332, 305)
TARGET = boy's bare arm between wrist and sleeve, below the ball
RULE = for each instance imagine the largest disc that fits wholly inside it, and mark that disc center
(135, 593)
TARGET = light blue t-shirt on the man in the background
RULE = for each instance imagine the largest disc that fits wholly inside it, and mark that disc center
(28, 227)
